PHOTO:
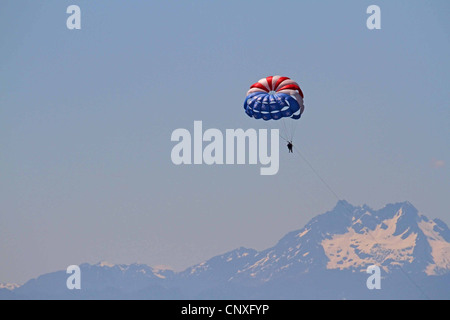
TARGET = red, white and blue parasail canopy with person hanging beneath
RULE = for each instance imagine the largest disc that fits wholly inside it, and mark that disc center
(276, 98)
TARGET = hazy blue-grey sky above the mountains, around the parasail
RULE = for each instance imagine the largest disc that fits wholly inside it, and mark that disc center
(86, 118)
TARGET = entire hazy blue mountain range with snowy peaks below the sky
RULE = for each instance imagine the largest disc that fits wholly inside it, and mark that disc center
(327, 258)
